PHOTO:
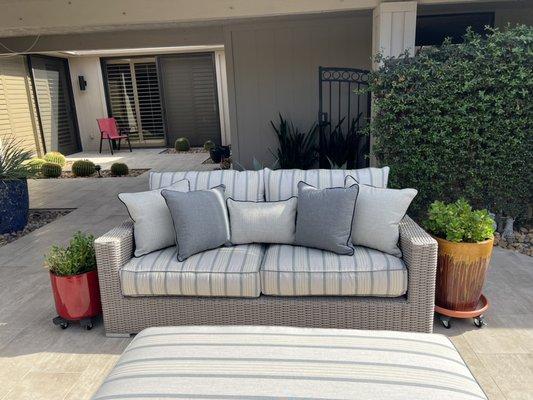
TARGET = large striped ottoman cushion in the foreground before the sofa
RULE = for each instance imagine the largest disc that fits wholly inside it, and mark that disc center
(237, 362)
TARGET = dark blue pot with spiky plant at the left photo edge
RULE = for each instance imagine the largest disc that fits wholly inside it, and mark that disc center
(14, 172)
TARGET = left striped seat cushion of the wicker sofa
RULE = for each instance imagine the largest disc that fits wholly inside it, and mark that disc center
(226, 271)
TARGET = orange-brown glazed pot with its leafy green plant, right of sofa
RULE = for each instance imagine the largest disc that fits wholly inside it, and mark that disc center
(465, 239)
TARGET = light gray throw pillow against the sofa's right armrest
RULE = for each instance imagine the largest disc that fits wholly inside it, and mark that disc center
(378, 213)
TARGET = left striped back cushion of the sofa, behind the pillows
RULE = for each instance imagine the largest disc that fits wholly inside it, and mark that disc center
(240, 185)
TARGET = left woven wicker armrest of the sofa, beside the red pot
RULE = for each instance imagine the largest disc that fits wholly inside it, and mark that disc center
(113, 250)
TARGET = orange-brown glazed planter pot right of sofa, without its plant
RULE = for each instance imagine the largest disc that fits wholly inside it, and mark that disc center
(461, 273)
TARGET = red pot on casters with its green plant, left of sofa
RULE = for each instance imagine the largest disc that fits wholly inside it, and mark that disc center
(75, 281)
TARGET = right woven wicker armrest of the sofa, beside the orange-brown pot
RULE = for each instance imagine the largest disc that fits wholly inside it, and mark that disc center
(420, 255)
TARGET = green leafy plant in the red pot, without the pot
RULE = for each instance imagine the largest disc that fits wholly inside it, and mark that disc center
(77, 258)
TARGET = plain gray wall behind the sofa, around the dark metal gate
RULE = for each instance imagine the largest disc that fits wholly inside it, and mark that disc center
(274, 68)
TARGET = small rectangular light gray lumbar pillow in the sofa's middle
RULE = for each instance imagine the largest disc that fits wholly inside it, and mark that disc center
(262, 222)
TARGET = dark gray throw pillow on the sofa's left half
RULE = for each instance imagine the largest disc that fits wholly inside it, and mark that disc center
(200, 220)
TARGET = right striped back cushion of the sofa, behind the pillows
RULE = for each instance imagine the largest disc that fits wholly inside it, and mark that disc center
(283, 183)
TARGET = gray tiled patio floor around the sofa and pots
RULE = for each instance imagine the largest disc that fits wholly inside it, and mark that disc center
(41, 361)
